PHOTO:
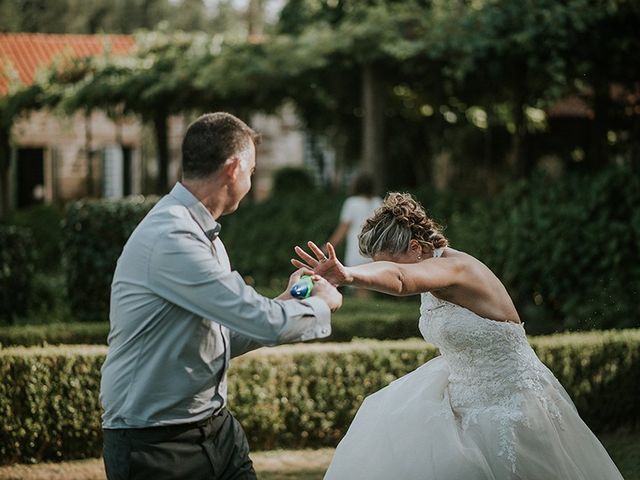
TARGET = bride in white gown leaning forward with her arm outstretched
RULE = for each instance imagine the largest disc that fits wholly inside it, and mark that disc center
(485, 409)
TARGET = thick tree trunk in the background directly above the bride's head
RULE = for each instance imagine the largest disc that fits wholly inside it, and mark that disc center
(373, 126)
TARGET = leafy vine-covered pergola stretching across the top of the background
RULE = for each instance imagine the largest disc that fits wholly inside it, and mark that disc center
(372, 73)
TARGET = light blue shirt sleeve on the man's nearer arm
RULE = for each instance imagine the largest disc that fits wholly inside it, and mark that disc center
(184, 271)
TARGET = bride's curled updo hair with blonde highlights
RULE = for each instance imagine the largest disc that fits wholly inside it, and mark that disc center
(392, 226)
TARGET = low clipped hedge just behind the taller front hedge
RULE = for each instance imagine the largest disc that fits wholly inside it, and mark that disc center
(381, 319)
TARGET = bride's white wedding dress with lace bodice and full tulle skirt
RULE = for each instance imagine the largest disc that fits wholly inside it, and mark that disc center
(485, 409)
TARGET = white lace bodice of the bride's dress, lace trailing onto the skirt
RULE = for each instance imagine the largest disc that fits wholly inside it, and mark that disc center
(492, 367)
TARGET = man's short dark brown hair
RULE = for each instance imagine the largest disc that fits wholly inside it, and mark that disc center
(211, 140)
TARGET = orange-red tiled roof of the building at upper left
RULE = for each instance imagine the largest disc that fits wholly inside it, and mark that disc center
(25, 53)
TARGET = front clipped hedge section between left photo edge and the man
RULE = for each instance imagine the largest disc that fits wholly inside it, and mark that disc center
(49, 403)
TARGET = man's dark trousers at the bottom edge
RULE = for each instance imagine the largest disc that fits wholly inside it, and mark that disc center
(212, 449)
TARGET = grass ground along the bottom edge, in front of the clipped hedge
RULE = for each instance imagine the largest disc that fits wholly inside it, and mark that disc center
(624, 448)
